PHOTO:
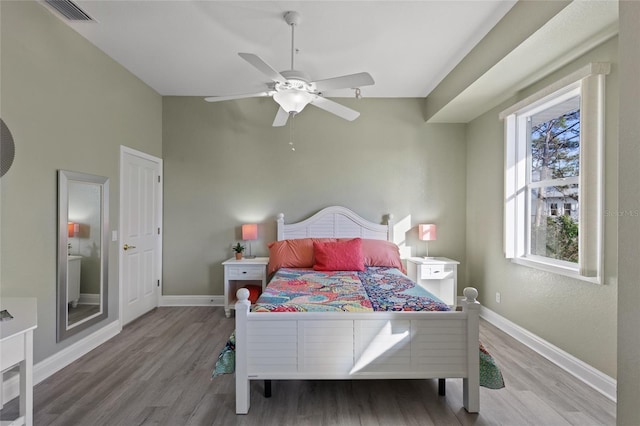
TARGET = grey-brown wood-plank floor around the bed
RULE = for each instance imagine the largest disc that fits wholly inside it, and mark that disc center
(157, 371)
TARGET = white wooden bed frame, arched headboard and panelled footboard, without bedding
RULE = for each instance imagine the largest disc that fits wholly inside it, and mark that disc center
(355, 345)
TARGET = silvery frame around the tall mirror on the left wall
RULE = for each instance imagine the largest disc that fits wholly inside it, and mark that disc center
(64, 177)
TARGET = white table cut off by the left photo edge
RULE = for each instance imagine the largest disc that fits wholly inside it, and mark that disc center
(16, 348)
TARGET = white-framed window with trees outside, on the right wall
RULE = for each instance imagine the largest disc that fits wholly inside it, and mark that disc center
(553, 176)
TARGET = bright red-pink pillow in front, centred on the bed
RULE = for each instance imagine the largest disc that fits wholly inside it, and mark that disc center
(339, 256)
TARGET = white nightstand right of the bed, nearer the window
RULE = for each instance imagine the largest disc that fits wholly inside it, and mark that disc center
(438, 275)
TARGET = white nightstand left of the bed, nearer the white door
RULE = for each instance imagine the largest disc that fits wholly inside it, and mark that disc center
(238, 271)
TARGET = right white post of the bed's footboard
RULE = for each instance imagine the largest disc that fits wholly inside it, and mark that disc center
(471, 384)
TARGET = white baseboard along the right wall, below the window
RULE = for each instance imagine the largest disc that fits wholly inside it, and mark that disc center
(595, 378)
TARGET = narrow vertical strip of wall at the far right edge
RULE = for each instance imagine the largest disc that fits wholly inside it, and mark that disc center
(629, 227)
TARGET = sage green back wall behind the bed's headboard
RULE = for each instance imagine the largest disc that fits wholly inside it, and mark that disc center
(225, 165)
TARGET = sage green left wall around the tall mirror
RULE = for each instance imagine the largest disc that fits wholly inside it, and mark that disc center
(68, 106)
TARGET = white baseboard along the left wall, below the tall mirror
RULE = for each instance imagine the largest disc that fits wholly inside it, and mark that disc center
(59, 360)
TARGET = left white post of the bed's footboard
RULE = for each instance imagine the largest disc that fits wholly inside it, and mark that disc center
(243, 397)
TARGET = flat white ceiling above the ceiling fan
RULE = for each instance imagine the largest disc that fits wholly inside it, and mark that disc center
(189, 48)
